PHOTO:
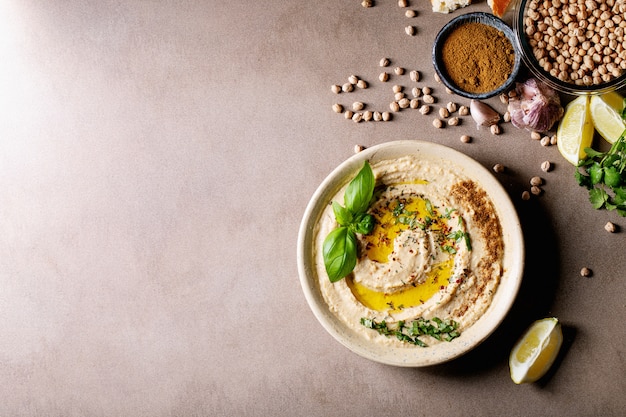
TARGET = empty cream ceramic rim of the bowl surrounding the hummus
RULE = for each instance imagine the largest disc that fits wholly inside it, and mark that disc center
(413, 356)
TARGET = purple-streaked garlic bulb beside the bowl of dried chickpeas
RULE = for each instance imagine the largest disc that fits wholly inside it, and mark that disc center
(537, 107)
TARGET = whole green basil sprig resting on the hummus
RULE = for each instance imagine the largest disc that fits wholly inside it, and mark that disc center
(340, 246)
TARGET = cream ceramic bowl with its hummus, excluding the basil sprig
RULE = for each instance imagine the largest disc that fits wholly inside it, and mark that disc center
(439, 271)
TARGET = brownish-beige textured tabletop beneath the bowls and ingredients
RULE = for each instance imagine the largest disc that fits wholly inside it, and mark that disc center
(155, 161)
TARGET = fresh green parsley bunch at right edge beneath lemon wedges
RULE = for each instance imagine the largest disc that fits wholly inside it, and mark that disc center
(603, 174)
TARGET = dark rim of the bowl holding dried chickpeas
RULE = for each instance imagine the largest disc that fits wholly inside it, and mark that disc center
(533, 64)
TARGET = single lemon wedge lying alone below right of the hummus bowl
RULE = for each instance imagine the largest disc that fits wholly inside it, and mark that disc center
(535, 352)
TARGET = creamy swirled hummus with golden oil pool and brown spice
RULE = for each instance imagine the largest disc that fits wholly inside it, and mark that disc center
(435, 252)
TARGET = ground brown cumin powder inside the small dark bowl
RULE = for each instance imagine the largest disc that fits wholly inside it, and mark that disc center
(478, 58)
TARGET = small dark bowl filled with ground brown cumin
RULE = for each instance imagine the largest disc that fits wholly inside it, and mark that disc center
(475, 55)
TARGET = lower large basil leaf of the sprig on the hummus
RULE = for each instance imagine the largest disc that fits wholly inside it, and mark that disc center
(340, 253)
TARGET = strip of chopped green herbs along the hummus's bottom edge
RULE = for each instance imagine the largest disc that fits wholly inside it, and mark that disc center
(445, 330)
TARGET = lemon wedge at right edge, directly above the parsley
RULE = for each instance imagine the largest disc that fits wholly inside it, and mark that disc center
(606, 112)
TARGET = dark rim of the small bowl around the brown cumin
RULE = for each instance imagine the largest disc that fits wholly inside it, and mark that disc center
(478, 17)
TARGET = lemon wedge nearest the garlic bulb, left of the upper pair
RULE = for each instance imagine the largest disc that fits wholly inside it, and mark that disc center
(575, 131)
